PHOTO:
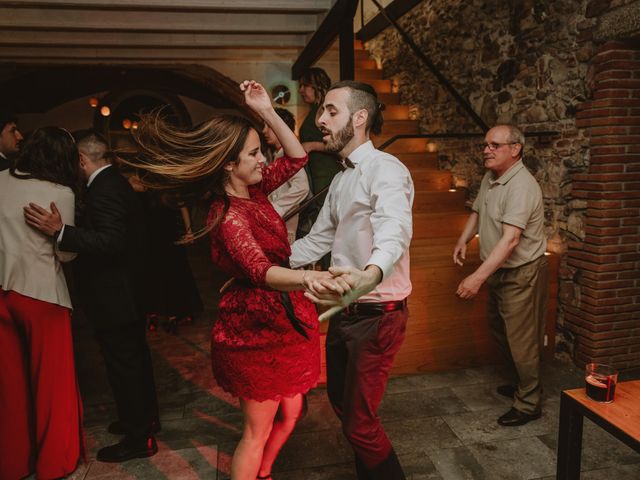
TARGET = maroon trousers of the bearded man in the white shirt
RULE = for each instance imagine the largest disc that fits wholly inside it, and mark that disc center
(360, 353)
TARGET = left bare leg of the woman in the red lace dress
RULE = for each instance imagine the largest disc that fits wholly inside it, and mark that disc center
(258, 422)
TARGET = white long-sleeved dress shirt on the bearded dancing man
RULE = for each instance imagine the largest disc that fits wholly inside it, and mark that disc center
(366, 220)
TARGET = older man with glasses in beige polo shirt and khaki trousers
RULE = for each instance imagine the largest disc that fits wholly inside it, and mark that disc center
(508, 214)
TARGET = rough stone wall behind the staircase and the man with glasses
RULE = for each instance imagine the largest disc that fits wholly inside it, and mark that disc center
(527, 62)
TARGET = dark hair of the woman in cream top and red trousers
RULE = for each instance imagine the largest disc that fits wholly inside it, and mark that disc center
(49, 154)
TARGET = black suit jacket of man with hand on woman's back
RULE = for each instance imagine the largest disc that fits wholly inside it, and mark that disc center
(108, 243)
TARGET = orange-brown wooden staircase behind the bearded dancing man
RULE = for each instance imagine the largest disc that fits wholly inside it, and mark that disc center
(443, 332)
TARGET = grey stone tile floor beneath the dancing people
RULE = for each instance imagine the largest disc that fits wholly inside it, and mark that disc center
(443, 425)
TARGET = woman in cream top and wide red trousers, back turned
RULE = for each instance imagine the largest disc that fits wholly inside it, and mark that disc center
(40, 408)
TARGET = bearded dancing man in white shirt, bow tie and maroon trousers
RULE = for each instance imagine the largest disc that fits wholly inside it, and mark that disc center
(366, 225)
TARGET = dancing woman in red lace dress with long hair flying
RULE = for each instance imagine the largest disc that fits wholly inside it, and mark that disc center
(264, 345)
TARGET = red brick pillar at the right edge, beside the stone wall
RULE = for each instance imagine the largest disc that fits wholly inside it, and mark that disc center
(604, 314)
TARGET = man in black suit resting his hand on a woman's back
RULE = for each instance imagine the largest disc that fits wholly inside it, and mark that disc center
(108, 243)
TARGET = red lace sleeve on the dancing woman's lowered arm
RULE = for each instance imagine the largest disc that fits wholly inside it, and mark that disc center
(245, 251)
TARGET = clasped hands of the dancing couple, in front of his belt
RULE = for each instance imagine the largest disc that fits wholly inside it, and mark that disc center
(339, 286)
